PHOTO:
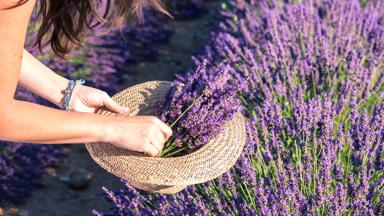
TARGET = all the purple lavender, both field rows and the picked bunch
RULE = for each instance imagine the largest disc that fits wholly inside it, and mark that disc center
(308, 75)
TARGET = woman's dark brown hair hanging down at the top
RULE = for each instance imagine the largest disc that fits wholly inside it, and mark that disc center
(64, 22)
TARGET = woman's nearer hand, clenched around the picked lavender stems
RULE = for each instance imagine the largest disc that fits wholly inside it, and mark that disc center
(138, 133)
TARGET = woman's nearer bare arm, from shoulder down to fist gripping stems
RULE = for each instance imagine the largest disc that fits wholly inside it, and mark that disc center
(28, 122)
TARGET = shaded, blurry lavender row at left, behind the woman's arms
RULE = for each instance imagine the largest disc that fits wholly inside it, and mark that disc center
(101, 63)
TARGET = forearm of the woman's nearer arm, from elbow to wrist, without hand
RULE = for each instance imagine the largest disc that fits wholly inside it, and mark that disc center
(27, 122)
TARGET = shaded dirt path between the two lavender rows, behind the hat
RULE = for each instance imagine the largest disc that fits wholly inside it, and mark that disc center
(57, 198)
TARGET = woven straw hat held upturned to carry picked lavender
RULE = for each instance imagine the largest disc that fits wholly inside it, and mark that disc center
(167, 175)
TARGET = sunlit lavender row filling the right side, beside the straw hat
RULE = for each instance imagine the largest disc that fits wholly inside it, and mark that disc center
(312, 86)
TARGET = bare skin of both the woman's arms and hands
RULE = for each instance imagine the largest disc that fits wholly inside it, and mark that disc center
(27, 122)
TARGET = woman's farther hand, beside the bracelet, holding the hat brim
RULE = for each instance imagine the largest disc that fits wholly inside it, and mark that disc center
(89, 100)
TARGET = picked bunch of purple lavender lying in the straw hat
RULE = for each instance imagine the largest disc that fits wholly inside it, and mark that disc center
(199, 107)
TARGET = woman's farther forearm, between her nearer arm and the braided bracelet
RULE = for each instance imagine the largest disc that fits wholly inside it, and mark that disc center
(41, 80)
